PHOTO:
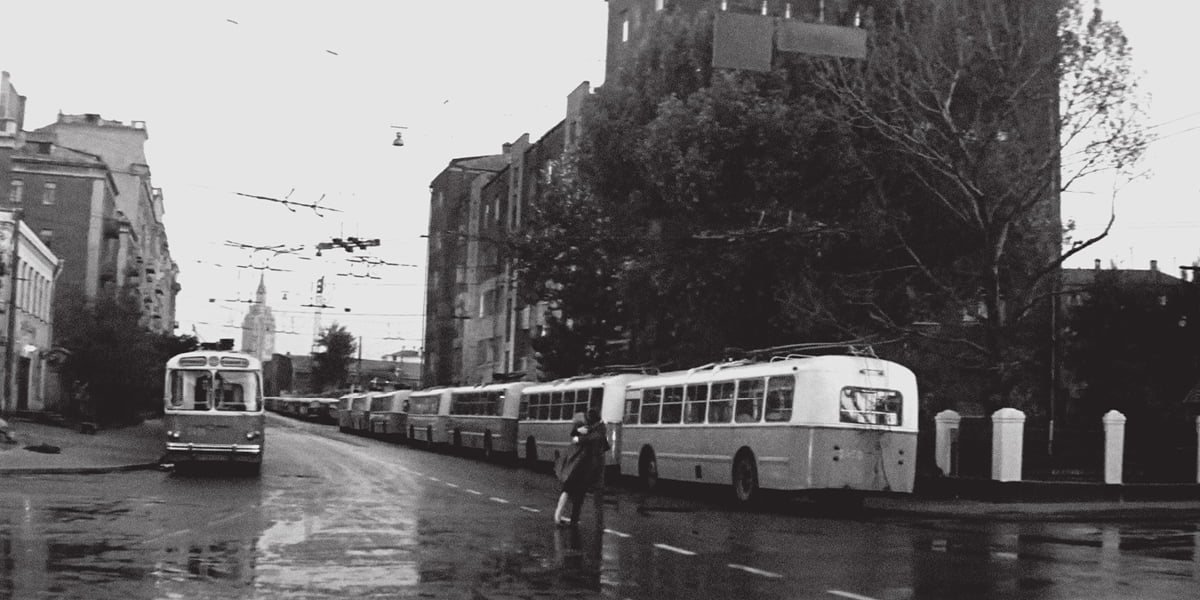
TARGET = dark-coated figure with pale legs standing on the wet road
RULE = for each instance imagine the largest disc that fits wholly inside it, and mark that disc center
(581, 470)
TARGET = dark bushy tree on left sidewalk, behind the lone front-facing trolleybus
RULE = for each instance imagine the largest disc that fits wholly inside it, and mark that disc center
(121, 363)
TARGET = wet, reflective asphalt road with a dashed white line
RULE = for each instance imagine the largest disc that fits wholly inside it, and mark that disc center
(340, 517)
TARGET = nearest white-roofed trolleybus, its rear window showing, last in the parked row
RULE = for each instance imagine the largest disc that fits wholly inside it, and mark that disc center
(795, 424)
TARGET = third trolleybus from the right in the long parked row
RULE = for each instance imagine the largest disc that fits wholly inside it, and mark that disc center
(484, 418)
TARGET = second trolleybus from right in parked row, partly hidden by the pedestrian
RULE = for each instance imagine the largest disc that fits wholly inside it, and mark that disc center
(548, 410)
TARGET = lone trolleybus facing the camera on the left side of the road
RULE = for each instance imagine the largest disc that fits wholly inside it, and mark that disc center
(214, 409)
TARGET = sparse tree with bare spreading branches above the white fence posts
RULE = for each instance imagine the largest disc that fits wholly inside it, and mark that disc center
(969, 119)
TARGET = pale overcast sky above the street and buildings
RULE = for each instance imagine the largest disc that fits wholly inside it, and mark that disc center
(279, 98)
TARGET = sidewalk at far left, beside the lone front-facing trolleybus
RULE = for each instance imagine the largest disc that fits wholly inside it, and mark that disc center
(137, 447)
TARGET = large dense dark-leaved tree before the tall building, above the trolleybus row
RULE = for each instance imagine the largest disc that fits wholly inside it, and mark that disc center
(694, 205)
